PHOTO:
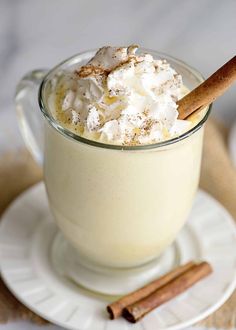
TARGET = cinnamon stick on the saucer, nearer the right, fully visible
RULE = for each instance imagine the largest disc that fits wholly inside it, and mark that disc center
(136, 311)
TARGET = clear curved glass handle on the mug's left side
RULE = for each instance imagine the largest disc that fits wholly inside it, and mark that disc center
(29, 116)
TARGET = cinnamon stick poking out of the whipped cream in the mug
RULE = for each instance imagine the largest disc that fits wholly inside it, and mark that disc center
(209, 90)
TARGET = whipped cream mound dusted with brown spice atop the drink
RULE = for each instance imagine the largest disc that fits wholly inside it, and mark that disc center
(123, 97)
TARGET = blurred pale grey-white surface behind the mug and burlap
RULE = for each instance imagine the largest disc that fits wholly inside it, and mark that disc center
(36, 34)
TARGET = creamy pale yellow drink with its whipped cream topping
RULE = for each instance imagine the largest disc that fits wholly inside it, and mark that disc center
(121, 196)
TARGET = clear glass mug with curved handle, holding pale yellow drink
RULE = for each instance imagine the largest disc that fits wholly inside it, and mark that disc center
(118, 206)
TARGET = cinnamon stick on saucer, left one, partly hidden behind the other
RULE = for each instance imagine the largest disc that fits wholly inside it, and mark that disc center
(115, 309)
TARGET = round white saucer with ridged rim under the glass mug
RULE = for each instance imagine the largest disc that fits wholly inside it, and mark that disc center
(28, 234)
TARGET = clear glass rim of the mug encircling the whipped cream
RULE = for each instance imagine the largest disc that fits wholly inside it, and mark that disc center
(69, 134)
